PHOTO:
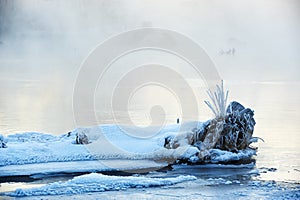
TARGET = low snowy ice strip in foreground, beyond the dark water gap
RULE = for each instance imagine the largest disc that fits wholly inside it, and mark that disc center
(98, 183)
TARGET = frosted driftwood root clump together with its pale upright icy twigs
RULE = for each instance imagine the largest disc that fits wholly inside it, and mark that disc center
(230, 130)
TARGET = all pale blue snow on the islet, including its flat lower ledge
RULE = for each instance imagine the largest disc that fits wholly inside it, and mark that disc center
(118, 148)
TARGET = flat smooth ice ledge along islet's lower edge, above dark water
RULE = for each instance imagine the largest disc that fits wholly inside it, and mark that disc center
(39, 170)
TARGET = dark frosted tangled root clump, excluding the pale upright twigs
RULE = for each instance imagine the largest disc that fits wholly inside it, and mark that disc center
(232, 132)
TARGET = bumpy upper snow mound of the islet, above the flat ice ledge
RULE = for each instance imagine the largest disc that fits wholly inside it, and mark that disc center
(112, 143)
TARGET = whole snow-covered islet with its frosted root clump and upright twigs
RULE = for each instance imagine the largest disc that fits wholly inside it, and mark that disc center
(225, 139)
